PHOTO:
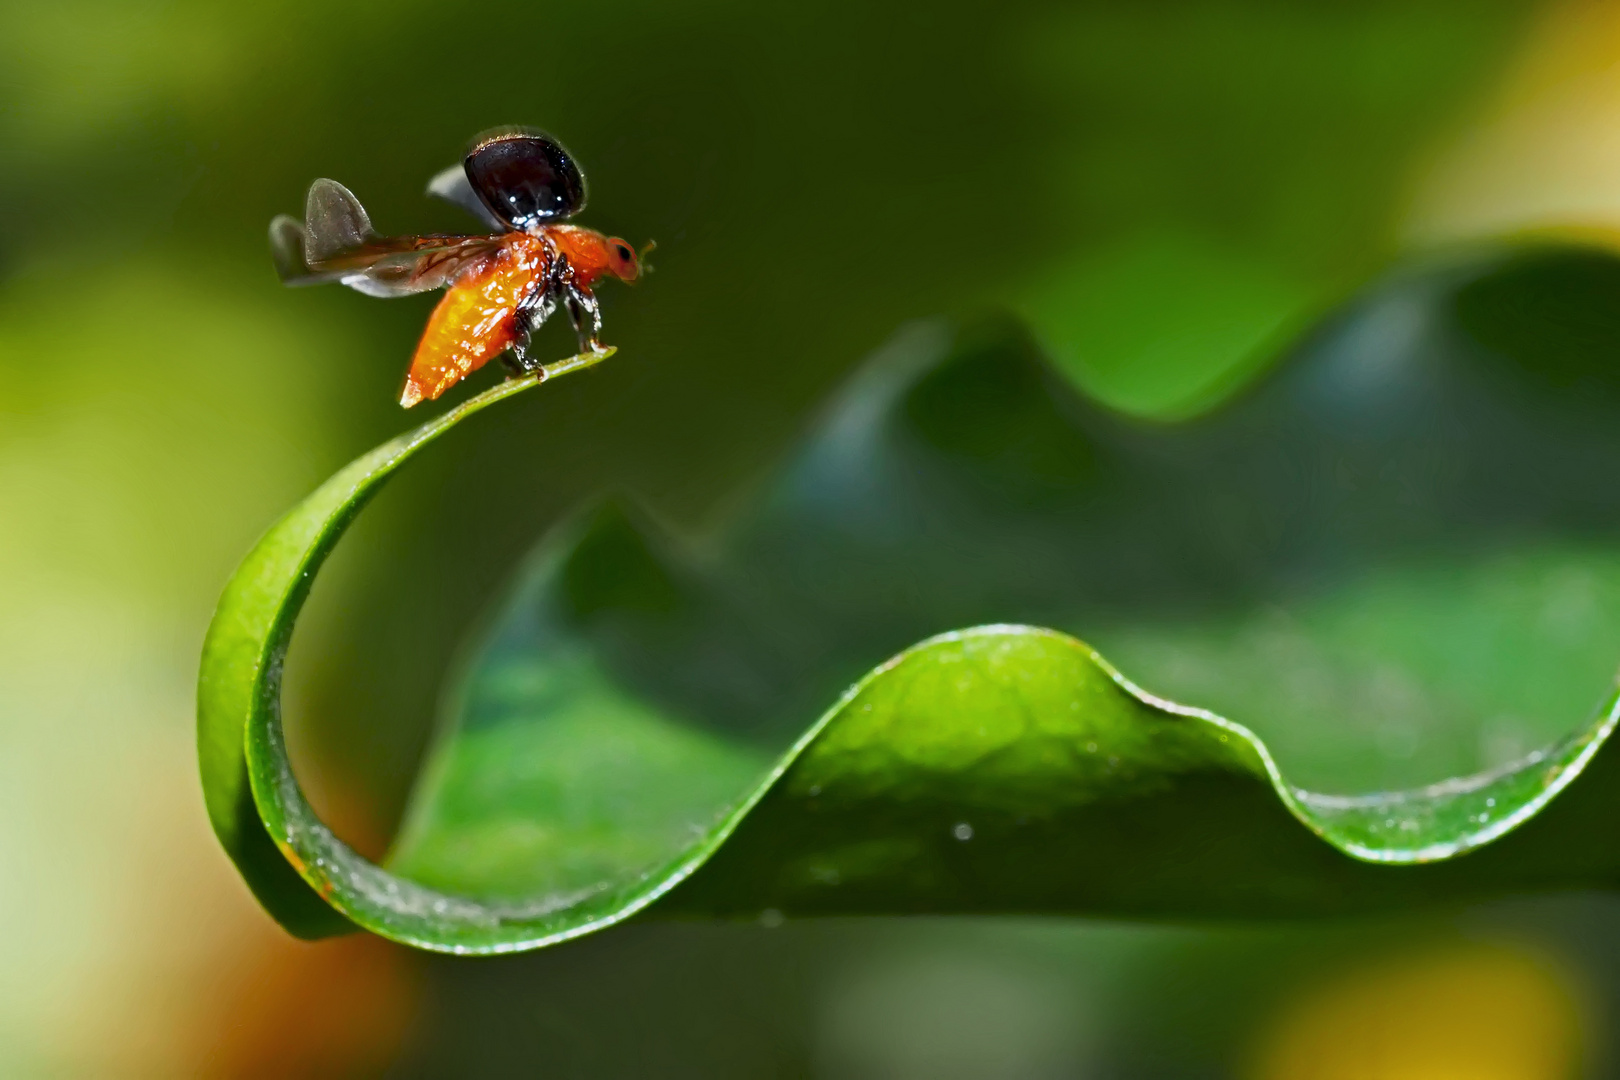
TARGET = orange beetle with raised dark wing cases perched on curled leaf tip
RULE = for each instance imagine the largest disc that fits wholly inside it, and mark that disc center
(501, 287)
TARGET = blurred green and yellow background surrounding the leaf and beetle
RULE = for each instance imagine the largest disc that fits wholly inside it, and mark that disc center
(1170, 193)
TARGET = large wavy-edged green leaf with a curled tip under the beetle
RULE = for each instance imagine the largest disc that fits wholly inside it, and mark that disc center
(631, 731)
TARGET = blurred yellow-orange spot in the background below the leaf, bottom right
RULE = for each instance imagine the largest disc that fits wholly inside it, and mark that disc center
(1464, 1014)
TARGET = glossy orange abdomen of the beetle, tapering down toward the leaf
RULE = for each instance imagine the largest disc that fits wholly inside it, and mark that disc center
(477, 320)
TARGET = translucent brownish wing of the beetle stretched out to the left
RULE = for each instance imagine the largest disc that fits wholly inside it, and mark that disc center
(338, 244)
